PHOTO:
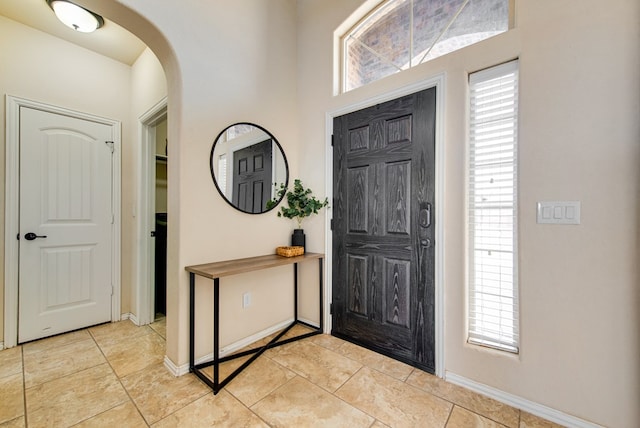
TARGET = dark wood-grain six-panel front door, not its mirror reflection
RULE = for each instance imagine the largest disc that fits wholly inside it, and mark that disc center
(383, 228)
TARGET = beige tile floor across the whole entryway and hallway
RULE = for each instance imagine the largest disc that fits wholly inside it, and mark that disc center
(113, 375)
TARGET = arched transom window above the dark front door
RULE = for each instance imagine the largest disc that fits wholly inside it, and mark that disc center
(400, 34)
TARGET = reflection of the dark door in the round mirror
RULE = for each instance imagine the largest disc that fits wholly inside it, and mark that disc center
(252, 177)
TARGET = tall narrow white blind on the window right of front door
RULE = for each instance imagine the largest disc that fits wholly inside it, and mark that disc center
(492, 204)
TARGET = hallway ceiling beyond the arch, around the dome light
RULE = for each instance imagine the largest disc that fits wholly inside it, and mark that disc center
(111, 40)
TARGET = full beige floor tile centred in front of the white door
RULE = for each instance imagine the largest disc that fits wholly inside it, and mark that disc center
(49, 364)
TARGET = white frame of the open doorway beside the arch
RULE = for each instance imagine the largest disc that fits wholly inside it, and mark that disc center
(145, 290)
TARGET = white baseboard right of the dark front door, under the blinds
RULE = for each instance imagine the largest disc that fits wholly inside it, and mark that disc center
(520, 403)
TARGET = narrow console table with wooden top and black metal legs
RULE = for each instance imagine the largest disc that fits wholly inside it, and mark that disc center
(217, 270)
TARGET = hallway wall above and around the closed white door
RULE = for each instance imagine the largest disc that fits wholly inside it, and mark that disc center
(42, 68)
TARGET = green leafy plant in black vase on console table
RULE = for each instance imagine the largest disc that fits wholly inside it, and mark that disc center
(300, 204)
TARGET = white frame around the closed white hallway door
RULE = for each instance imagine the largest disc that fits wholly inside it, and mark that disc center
(12, 209)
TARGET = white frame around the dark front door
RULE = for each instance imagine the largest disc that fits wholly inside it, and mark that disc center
(439, 82)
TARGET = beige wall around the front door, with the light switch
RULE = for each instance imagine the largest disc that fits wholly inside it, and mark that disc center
(579, 133)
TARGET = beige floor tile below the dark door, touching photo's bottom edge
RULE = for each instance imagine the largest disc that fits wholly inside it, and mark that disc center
(392, 401)
